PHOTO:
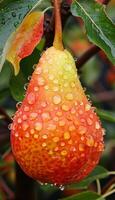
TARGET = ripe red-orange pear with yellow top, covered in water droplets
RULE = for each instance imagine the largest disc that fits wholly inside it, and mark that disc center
(56, 136)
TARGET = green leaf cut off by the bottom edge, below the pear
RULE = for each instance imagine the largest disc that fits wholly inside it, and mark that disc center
(84, 196)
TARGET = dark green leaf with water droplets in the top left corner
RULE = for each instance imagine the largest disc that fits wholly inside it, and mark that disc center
(12, 13)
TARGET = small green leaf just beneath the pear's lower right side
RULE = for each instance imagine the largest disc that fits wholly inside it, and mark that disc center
(98, 173)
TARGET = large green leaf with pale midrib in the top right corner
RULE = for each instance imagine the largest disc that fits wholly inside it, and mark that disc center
(100, 29)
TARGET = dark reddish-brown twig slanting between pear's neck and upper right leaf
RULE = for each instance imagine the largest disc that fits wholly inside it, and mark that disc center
(87, 55)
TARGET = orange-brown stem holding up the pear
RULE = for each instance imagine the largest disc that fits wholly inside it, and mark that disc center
(58, 26)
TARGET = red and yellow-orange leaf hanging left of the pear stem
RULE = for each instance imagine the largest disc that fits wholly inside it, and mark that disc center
(23, 41)
